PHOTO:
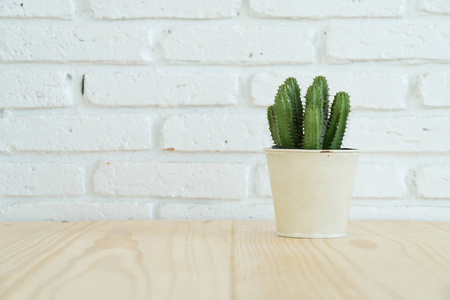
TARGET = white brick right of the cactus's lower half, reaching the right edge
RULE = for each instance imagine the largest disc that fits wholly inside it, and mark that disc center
(411, 133)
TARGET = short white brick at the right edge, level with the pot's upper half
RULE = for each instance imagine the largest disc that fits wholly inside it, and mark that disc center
(434, 181)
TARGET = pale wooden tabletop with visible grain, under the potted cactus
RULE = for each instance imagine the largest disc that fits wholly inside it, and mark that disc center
(221, 260)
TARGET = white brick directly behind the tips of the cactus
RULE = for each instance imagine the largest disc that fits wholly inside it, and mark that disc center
(375, 91)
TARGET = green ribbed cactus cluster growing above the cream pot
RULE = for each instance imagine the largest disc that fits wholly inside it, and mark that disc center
(316, 128)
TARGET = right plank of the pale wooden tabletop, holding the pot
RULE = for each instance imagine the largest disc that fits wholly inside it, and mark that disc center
(377, 260)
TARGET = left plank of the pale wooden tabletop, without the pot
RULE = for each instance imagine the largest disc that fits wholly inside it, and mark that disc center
(117, 260)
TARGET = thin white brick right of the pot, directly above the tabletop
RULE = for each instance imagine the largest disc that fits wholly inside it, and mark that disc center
(410, 213)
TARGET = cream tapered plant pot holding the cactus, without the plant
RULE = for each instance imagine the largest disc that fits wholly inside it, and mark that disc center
(312, 190)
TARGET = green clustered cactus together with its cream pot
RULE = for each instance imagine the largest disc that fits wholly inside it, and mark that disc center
(311, 177)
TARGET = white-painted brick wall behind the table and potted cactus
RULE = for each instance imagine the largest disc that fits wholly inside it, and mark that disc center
(156, 109)
